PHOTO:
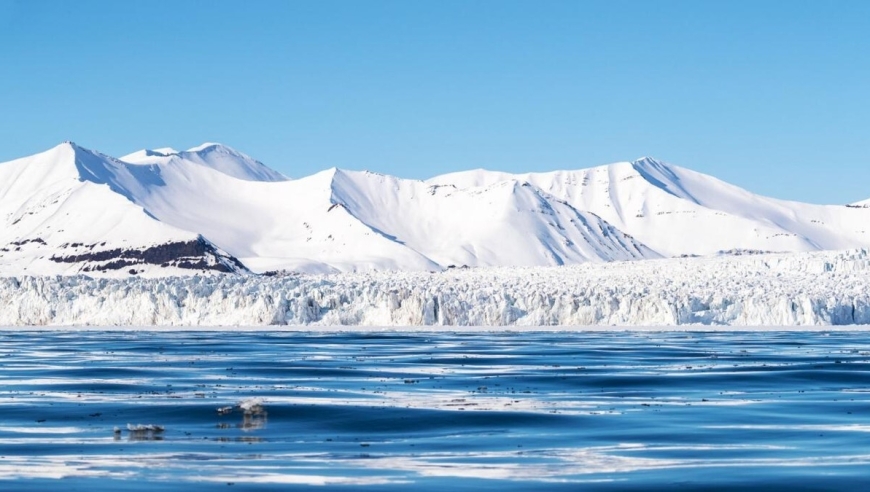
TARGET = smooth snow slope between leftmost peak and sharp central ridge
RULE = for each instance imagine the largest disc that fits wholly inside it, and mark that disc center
(273, 225)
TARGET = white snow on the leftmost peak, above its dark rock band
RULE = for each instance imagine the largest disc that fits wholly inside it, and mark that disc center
(63, 200)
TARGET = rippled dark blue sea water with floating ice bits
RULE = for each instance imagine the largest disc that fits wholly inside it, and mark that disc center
(440, 411)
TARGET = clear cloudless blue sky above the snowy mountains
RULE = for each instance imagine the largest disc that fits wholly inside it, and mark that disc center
(773, 96)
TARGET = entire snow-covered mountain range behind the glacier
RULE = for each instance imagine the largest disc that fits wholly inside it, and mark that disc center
(211, 208)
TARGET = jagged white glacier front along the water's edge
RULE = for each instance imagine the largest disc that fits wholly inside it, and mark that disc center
(814, 288)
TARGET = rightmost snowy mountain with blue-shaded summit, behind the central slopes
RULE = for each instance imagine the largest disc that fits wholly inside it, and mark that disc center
(676, 211)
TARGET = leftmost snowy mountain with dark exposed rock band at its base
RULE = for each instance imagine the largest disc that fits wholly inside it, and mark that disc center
(61, 214)
